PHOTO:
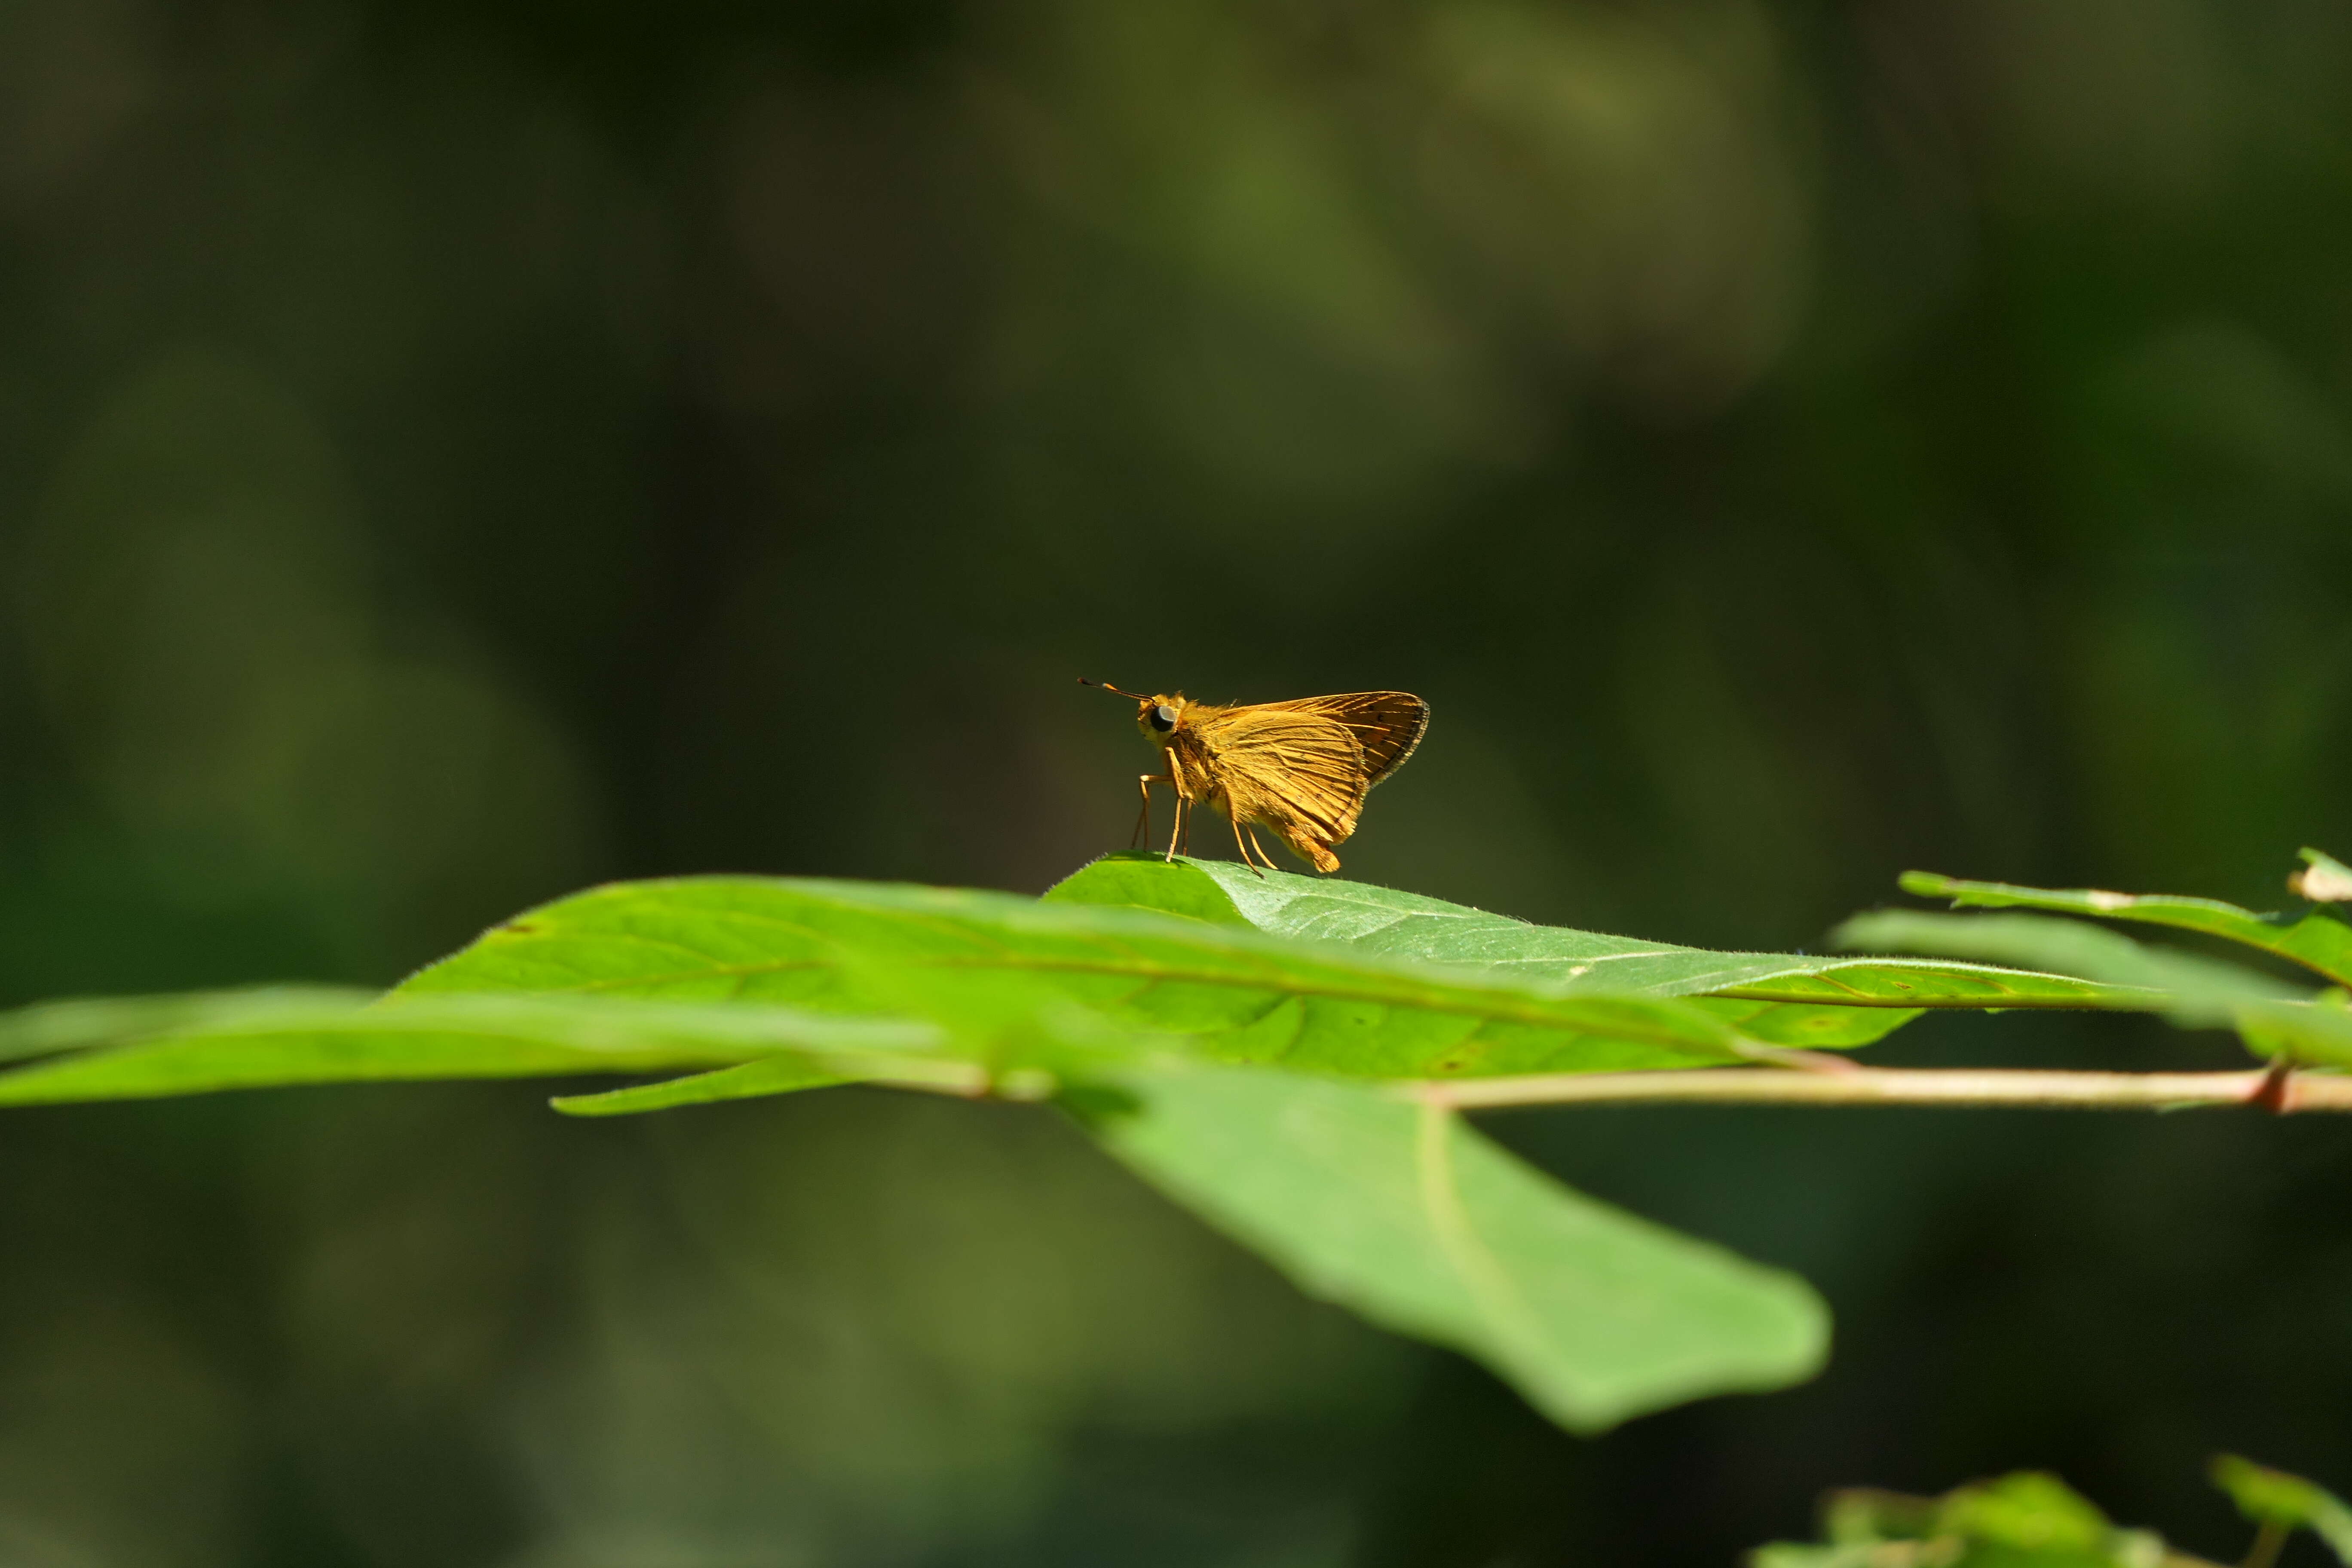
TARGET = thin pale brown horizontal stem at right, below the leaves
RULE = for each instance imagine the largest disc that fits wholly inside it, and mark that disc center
(1899, 1087)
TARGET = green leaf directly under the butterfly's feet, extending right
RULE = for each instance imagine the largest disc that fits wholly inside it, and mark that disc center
(1426, 930)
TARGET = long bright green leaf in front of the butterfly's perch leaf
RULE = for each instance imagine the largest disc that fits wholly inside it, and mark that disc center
(956, 956)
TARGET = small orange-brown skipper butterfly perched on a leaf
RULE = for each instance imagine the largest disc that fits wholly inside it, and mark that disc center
(1302, 770)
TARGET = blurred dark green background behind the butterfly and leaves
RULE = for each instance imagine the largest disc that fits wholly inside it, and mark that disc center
(455, 453)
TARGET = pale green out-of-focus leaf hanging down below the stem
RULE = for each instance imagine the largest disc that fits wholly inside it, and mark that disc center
(1419, 1224)
